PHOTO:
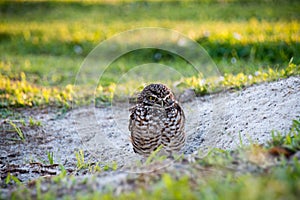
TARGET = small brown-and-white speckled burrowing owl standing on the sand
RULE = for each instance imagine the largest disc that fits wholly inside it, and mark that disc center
(156, 120)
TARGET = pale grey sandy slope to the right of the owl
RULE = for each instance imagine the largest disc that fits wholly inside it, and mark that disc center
(230, 119)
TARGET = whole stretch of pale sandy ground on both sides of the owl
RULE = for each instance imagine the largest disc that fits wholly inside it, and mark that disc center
(223, 120)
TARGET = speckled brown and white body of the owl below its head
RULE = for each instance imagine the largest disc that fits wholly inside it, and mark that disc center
(150, 127)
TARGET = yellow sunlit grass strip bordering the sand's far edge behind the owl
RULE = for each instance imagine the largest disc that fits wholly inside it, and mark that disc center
(20, 92)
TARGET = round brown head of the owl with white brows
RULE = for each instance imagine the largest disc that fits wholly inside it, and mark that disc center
(157, 95)
